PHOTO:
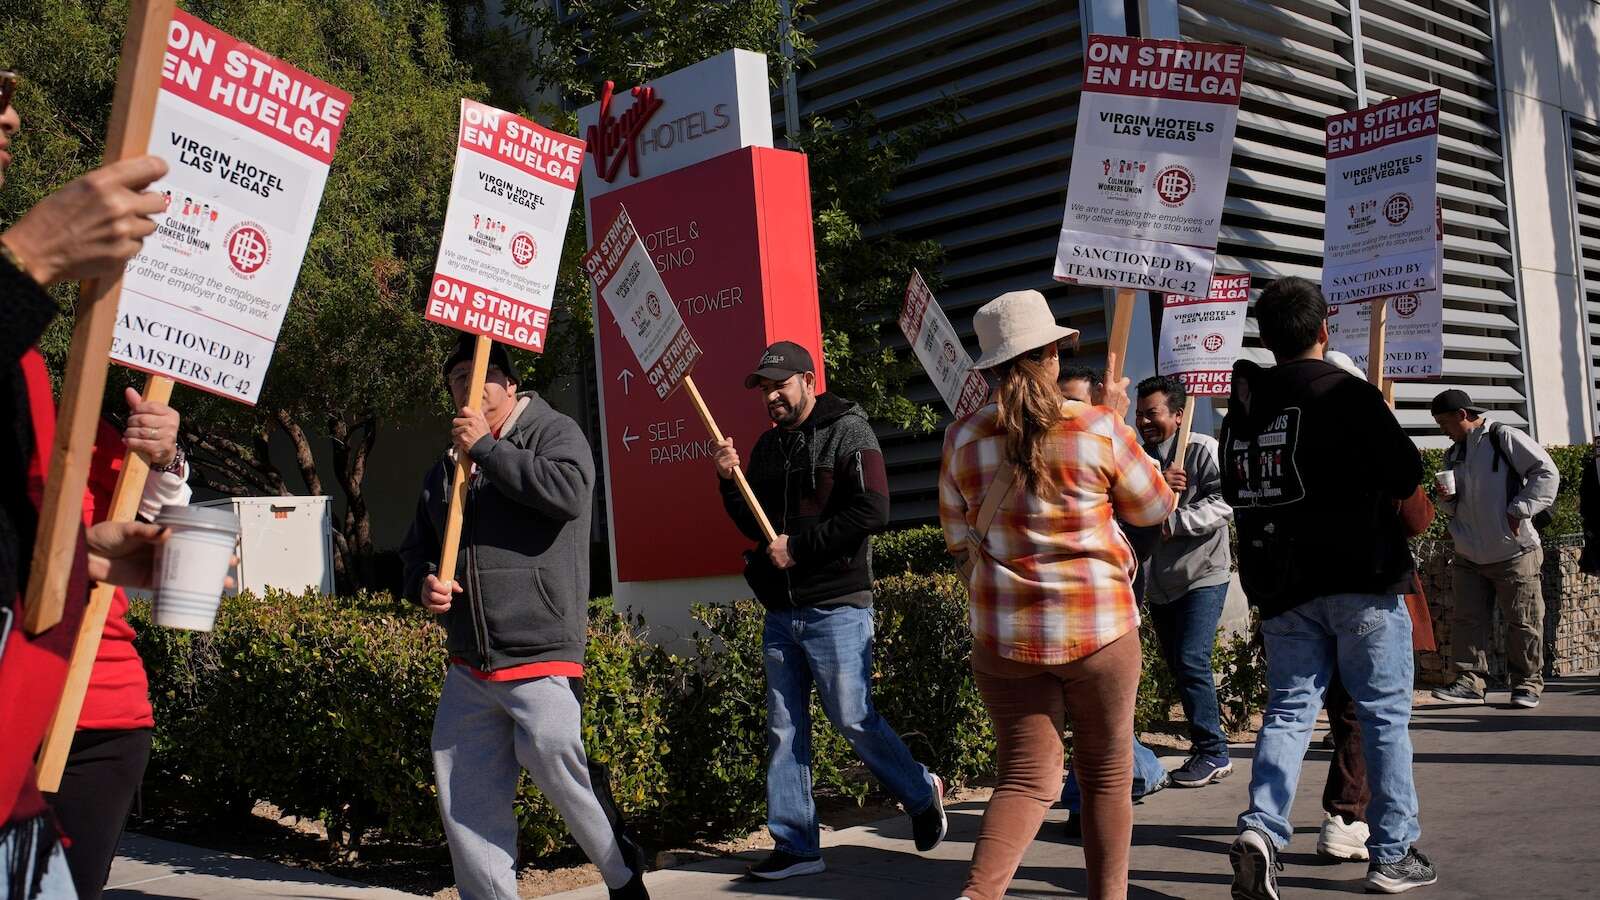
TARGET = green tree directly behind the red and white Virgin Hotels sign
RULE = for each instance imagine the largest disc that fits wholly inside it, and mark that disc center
(862, 271)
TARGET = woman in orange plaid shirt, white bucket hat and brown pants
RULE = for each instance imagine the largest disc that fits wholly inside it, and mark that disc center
(1054, 616)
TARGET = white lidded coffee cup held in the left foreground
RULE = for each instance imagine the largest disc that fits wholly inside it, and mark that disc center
(193, 565)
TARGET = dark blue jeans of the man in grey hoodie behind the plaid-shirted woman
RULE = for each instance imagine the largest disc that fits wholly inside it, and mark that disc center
(1186, 629)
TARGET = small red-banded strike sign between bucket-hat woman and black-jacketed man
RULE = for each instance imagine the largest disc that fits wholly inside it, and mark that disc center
(1202, 335)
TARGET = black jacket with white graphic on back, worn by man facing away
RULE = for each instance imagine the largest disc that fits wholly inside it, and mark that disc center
(1316, 467)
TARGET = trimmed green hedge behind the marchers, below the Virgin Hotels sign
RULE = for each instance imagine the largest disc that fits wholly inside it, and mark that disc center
(324, 707)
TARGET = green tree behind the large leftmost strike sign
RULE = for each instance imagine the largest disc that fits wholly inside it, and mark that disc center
(354, 350)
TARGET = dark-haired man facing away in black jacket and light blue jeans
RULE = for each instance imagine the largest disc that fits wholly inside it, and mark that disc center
(1316, 468)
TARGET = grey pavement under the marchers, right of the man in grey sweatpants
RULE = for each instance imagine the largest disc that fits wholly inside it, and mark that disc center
(1510, 810)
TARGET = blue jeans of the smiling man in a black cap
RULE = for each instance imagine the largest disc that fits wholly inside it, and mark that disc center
(833, 649)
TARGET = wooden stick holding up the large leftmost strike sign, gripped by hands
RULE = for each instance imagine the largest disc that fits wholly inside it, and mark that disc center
(124, 508)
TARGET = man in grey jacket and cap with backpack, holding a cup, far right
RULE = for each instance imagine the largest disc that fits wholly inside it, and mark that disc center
(1498, 491)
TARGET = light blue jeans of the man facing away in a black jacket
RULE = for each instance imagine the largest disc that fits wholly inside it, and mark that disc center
(1369, 638)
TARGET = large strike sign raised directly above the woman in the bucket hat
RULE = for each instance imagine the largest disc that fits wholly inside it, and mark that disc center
(1150, 164)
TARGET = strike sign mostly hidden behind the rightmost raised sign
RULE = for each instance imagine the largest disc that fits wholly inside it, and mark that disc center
(1414, 332)
